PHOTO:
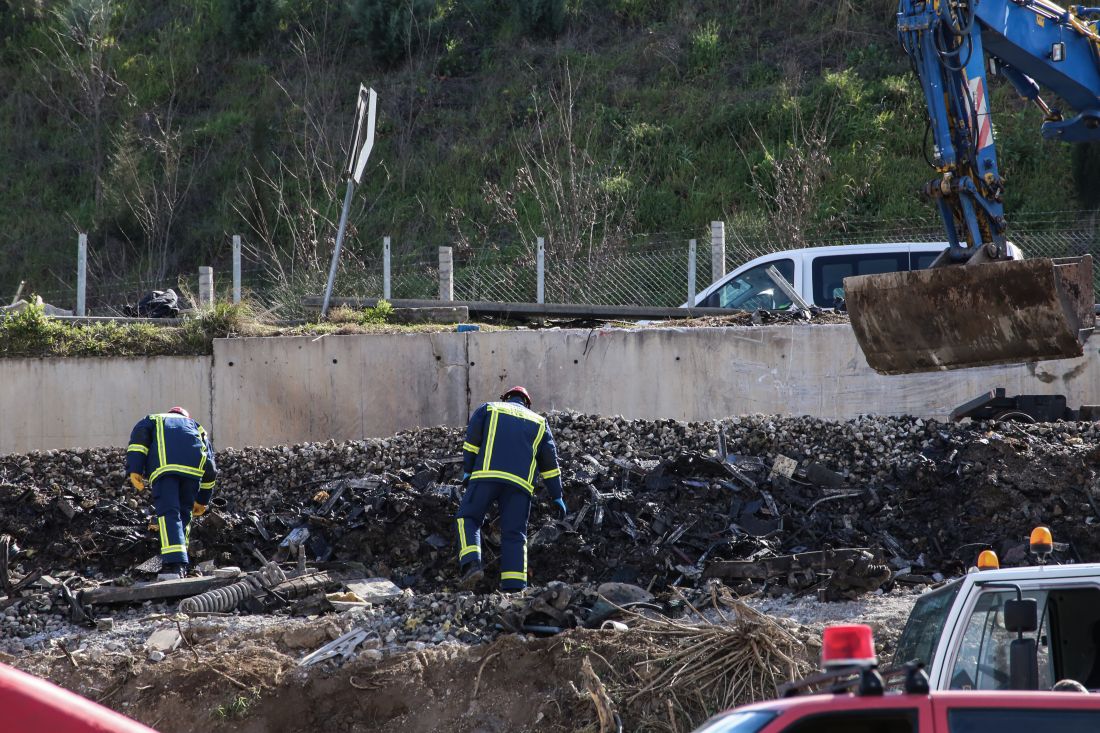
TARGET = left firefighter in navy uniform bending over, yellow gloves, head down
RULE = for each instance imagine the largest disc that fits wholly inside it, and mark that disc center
(175, 455)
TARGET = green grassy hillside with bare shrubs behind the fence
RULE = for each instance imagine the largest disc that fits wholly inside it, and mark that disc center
(163, 128)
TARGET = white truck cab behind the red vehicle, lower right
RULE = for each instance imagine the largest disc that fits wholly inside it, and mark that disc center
(959, 631)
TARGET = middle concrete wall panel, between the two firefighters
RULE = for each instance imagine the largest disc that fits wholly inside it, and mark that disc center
(272, 391)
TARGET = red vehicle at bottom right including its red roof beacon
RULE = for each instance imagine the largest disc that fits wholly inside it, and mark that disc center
(870, 709)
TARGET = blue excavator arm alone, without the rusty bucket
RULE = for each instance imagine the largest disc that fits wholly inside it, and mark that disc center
(1033, 45)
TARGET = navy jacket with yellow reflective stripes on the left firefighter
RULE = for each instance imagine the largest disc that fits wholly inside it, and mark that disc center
(172, 444)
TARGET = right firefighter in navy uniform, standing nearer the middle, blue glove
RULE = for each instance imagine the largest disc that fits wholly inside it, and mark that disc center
(507, 445)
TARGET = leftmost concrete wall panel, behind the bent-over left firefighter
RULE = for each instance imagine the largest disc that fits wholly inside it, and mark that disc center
(89, 403)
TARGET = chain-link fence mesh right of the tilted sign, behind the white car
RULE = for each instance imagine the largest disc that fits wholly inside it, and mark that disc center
(656, 272)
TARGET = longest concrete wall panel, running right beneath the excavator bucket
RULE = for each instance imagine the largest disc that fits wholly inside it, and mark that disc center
(705, 374)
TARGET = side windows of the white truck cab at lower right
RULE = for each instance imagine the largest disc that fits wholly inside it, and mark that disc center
(1070, 630)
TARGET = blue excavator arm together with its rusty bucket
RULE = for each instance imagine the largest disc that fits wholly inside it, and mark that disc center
(995, 310)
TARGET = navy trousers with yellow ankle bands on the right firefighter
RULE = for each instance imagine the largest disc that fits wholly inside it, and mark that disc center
(515, 509)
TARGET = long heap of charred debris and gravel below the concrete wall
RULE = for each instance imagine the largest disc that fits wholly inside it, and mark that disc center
(795, 505)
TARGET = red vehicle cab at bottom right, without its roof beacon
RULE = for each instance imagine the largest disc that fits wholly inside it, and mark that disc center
(949, 712)
